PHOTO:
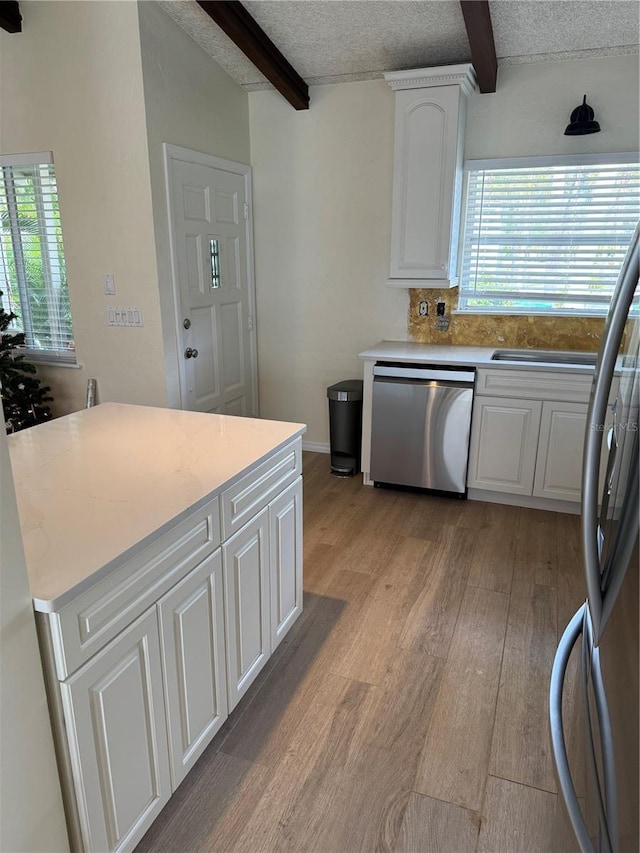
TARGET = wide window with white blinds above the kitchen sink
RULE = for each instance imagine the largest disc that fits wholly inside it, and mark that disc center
(544, 236)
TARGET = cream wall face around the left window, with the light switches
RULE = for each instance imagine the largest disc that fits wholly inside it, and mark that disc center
(71, 83)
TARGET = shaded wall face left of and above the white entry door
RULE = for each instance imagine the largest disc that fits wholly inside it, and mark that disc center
(189, 101)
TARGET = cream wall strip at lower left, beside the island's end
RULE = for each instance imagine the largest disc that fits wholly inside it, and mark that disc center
(31, 815)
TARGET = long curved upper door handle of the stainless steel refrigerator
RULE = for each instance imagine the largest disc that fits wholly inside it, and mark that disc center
(605, 366)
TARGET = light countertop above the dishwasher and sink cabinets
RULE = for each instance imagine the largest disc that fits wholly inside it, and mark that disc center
(460, 356)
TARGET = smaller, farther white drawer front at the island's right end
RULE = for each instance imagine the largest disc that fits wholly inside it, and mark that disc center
(254, 491)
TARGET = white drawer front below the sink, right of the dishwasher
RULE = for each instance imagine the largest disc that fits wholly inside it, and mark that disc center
(534, 385)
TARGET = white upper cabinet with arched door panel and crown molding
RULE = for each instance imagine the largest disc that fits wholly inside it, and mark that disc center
(430, 114)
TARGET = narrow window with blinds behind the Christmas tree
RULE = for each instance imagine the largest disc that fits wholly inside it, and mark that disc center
(33, 278)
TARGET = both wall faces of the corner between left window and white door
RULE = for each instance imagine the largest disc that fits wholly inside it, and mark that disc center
(88, 103)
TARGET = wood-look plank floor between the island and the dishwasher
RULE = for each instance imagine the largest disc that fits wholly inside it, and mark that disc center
(406, 711)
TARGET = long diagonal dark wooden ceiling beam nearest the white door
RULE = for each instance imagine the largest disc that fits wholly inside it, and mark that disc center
(242, 29)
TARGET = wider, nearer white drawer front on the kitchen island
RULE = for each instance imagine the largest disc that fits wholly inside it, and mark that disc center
(88, 622)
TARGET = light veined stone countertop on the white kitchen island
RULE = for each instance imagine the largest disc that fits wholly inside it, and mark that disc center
(94, 485)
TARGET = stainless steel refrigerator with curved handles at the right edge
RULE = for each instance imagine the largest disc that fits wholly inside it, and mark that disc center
(604, 631)
